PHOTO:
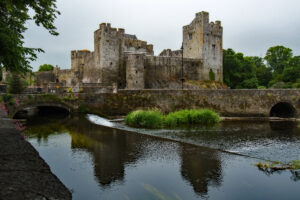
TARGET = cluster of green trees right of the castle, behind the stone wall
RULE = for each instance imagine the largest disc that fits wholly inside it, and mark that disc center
(279, 69)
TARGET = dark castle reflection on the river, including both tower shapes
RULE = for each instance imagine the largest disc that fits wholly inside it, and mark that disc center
(113, 150)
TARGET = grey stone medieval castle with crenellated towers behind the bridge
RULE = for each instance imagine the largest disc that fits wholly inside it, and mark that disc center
(123, 60)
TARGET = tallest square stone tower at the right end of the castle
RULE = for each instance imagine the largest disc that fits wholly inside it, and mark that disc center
(203, 40)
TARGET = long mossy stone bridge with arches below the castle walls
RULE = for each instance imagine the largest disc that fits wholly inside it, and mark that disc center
(256, 103)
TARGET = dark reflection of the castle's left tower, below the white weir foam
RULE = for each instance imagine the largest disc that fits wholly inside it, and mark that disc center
(110, 150)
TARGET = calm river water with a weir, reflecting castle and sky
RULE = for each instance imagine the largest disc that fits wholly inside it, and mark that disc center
(98, 159)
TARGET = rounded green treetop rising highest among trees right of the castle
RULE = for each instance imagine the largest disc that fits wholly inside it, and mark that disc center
(278, 58)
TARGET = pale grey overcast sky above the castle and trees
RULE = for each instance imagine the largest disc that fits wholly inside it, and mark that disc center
(249, 26)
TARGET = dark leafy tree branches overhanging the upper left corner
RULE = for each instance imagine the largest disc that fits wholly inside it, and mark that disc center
(14, 14)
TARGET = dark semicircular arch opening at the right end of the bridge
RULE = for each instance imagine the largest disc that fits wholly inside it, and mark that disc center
(283, 110)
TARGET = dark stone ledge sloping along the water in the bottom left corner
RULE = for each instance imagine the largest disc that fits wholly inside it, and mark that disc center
(23, 173)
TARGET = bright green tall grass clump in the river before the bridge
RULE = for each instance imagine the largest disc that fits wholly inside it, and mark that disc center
(155, 119)
